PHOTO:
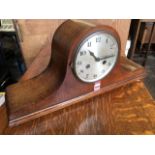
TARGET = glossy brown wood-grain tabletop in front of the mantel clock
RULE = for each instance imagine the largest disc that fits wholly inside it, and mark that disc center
(126, 110)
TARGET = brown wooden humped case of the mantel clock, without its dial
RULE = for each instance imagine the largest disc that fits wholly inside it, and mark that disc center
(57, 87)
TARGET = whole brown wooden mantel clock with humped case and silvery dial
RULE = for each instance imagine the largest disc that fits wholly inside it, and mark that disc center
(85, 62)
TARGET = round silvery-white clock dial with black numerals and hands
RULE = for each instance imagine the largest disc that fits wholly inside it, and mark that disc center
(96, 56)
